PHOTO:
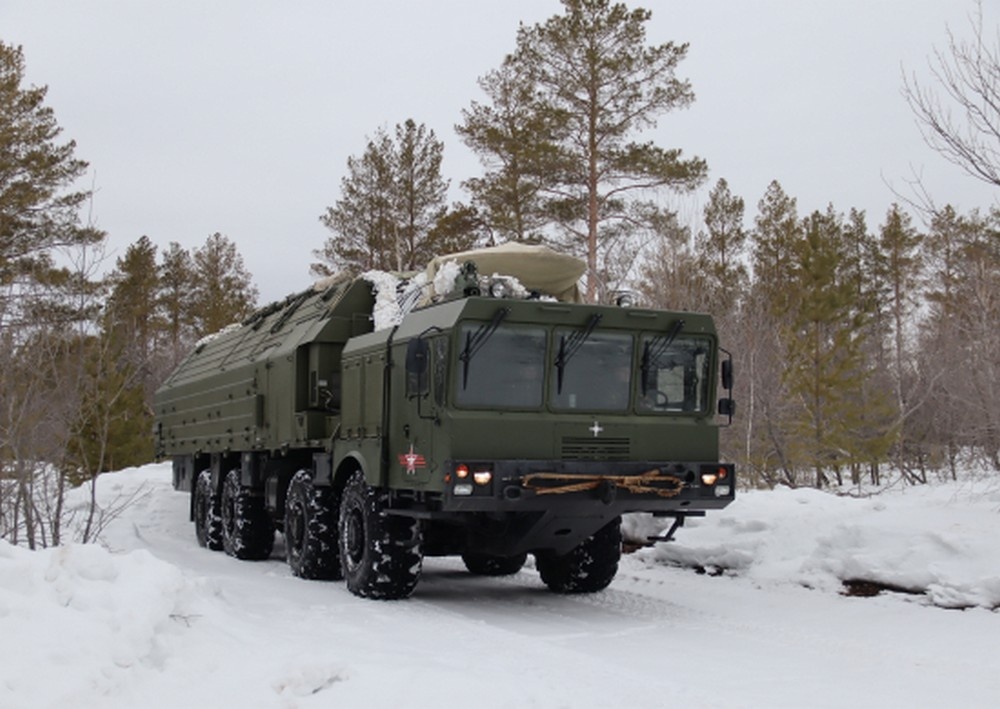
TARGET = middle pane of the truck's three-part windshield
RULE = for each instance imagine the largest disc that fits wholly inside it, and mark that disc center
(599, 376)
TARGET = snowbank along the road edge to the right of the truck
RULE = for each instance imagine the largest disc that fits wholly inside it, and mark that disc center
(936, 541)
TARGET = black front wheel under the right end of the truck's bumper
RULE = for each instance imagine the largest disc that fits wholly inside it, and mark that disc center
(589, 567)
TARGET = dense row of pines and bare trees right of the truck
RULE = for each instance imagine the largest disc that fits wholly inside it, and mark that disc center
(857, 349)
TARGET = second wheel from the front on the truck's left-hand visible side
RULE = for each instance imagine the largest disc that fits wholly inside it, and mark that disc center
(311, 547)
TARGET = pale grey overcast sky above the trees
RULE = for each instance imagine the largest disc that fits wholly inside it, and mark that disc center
(238, 116)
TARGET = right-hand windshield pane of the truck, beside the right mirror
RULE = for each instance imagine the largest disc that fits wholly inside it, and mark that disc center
(675, 379)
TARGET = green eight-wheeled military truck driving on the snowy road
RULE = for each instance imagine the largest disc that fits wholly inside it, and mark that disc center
(476, 409)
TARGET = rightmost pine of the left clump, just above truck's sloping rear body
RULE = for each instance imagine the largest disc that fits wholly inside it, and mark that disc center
(223, 292)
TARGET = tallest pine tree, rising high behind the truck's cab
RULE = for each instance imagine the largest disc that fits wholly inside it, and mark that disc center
(592, 83)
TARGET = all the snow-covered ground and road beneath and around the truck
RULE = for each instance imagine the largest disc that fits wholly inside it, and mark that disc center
(151, 620)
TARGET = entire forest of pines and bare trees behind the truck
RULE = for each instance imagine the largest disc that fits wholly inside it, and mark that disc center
(858, 348)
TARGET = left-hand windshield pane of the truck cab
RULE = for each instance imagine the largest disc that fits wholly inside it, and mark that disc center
(508, 369)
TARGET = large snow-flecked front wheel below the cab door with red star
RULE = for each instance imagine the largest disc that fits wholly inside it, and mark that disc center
(380, 553)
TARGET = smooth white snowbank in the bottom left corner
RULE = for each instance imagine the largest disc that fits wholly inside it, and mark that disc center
(77, 620)
